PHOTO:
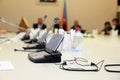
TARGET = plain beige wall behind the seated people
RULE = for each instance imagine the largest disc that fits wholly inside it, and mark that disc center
(91, 13)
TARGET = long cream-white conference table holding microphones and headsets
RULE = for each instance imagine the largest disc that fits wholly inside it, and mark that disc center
(94, 49)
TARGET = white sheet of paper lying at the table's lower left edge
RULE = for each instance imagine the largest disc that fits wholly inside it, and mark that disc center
(6, 65)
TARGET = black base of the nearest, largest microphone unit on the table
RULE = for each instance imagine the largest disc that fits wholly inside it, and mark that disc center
(44, 57)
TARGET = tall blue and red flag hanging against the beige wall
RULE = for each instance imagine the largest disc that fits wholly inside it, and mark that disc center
(64, 16)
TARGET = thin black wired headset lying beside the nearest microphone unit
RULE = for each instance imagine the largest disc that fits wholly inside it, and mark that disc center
(75, 61)
